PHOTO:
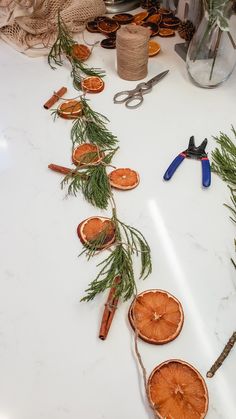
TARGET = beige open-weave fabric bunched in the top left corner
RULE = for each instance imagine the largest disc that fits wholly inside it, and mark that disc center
(30, 25)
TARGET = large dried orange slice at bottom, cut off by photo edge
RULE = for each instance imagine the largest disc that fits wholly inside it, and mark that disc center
(178, 391)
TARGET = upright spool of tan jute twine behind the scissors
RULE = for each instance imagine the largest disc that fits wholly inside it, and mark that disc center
(132, 52)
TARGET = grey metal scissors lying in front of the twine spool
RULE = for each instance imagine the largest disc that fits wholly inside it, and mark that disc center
(136, 95)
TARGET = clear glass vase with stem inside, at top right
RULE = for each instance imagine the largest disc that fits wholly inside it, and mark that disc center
(211, 56)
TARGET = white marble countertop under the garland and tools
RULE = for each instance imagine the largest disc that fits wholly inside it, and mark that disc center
(52, 364)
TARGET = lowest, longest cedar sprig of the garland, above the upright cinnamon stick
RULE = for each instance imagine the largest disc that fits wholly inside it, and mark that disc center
(128, 242)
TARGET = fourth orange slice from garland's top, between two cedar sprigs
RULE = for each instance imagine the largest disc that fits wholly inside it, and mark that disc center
(86, 154)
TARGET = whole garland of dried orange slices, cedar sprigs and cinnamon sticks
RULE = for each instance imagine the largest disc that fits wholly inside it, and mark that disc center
(174, 387)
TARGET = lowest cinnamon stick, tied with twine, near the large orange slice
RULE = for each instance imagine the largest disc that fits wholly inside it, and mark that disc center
(109, 311)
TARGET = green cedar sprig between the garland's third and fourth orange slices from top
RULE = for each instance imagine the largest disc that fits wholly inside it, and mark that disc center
(92, 126)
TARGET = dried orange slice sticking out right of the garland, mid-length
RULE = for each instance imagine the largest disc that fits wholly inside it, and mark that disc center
(124, 179)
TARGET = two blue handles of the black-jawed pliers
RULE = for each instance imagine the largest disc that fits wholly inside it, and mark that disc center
(206, 169)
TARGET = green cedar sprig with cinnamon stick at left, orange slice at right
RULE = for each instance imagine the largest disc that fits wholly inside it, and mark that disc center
(92, 181)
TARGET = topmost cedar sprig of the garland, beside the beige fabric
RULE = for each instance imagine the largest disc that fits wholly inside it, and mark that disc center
(63, 48)
